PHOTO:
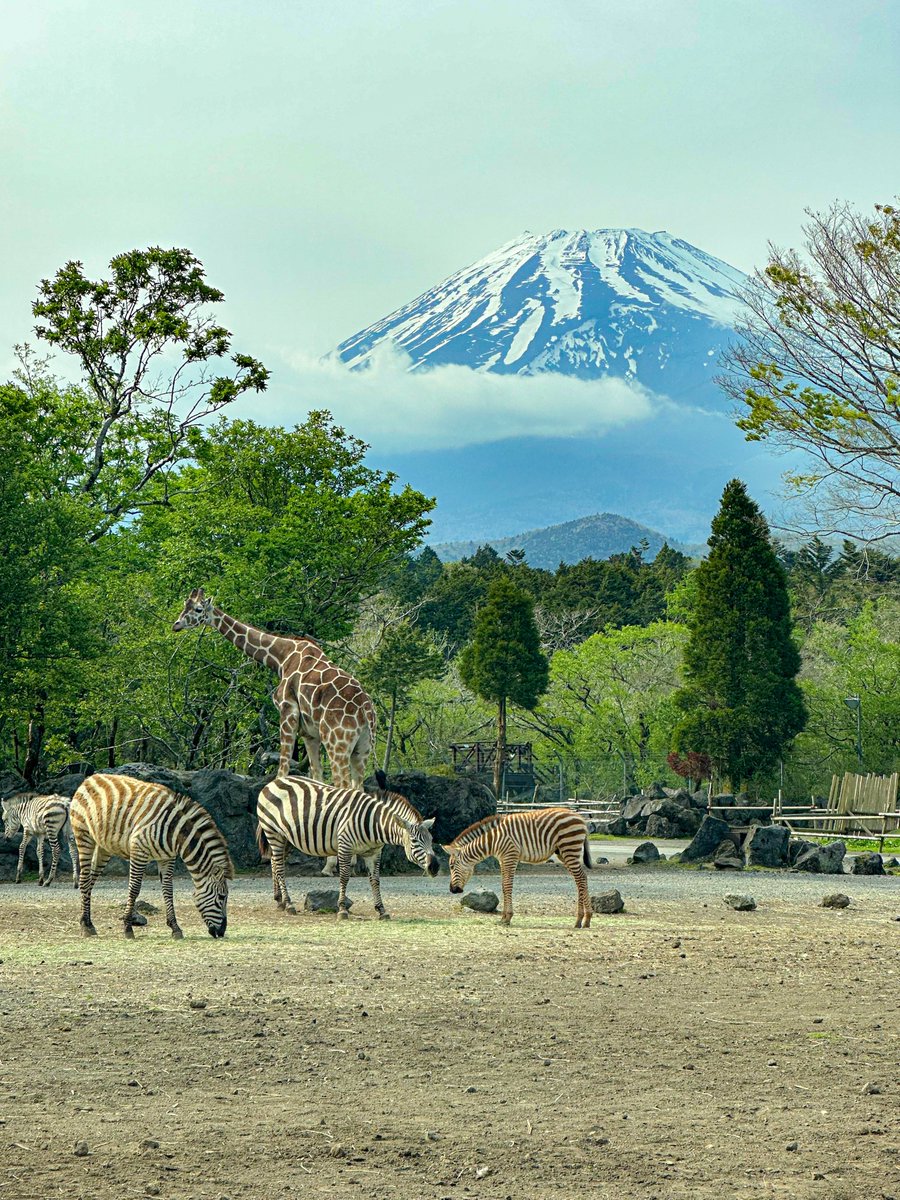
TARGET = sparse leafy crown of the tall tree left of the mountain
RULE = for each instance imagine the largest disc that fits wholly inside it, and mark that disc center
(155, 365)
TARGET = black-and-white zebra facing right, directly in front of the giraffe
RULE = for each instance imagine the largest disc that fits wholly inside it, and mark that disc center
(345, 821)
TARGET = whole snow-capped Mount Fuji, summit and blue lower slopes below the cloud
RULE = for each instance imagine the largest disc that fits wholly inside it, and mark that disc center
(647, 309)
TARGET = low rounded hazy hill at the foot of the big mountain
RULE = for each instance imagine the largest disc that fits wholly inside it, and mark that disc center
(593, 537)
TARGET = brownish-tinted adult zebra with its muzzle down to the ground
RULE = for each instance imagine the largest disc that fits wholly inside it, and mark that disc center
(147, 823)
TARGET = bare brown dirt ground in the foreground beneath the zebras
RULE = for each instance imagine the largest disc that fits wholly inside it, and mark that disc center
(677, 1051)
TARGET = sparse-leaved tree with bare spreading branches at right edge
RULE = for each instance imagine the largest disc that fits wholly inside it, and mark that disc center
(818, 367)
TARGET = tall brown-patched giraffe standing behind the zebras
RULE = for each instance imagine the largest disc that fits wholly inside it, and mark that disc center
(327, 705)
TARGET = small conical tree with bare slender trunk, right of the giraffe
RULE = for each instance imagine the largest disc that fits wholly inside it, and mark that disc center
(505, 662)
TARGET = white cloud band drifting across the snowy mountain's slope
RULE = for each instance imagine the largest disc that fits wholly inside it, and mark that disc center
(449, 407)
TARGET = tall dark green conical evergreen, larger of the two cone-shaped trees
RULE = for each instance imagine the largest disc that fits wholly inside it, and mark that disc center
(741, 701)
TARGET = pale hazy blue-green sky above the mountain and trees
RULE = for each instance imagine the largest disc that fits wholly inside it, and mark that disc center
(329, 161)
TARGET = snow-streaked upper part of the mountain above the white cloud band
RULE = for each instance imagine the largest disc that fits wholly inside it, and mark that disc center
(644, 307)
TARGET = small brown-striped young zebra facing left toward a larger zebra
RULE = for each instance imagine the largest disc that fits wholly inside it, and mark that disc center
(525, 838)
